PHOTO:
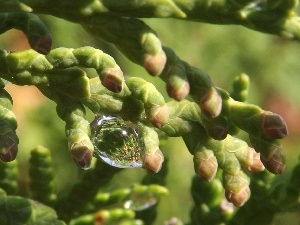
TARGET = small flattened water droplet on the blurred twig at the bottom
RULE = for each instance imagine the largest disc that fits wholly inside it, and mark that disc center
(140, 201)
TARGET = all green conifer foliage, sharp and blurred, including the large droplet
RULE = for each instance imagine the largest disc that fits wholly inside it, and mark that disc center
(228, 169)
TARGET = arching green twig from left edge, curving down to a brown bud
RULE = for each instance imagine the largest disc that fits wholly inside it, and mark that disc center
(29, 67)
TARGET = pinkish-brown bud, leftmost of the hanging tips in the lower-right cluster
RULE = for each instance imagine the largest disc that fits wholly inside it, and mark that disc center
(206, 164)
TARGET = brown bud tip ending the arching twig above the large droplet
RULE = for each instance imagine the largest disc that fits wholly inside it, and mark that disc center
(113, 79)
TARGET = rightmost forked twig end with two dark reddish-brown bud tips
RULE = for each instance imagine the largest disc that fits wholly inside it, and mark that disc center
(264, 129)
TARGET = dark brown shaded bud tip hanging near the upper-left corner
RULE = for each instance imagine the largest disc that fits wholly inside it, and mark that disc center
(42, 44)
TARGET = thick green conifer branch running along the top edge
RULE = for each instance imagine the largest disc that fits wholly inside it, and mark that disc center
(257, 15)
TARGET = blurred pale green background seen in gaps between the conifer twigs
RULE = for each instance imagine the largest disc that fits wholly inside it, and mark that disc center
(222, 51)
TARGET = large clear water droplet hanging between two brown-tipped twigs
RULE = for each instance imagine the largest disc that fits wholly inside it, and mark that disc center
(117, 142)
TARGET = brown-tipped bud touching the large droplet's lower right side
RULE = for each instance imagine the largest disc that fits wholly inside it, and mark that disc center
(154, 161)
